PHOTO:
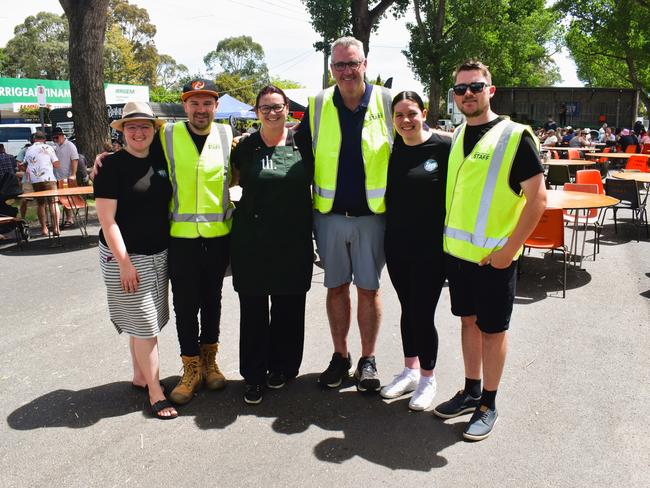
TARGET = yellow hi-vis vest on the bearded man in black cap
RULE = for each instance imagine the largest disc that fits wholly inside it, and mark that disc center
(200, 205)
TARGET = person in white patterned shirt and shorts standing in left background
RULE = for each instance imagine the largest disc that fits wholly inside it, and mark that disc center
(40, 161)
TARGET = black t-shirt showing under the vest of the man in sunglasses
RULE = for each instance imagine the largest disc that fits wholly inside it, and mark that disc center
(526, 164)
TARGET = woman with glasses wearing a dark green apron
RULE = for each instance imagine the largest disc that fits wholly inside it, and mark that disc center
(272, 252)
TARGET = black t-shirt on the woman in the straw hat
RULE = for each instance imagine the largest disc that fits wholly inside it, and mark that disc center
(142, 189)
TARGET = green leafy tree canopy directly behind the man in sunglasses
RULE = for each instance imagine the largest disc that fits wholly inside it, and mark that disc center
(514, 38)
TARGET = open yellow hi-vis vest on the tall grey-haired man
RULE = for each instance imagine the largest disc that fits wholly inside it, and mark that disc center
(376, 144)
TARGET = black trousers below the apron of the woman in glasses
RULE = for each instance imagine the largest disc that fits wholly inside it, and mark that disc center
(270, 342)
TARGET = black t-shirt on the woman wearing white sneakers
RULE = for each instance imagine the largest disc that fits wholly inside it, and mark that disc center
(415, 198)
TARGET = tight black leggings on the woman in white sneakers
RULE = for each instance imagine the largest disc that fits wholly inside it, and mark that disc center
(418, 285)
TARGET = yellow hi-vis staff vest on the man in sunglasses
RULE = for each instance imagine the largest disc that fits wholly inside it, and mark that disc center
(482, 209)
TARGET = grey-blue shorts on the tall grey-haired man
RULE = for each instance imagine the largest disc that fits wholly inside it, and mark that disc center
(351, 249)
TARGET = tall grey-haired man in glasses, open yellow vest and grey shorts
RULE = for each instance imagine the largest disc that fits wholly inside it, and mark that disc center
(349, 129)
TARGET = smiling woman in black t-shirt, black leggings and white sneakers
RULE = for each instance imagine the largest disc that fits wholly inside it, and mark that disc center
(415, 211)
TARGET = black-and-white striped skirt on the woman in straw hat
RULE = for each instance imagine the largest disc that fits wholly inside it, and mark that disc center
(144, 313)
